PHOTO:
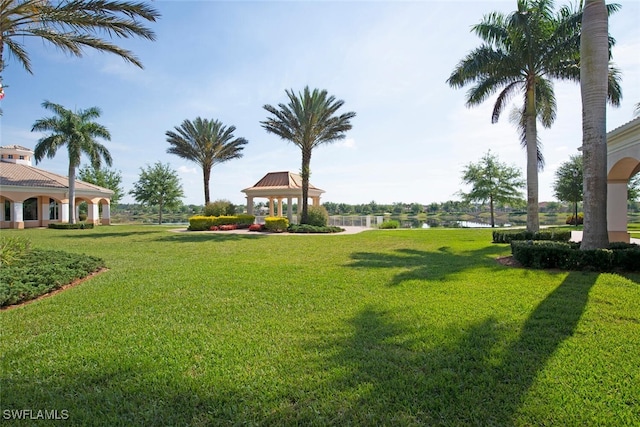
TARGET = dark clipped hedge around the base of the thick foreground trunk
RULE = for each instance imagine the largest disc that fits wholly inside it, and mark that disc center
(568, 256)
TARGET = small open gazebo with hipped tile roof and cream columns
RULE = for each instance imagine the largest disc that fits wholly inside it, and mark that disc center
(277, 186)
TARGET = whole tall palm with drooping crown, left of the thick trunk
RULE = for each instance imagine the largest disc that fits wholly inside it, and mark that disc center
(523, 52)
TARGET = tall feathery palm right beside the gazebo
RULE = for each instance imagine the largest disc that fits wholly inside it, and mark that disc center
(308, 120)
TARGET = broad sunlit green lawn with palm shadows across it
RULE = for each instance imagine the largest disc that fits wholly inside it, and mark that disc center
(380, 328)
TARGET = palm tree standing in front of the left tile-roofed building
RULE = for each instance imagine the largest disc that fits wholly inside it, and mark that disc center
(77, 131)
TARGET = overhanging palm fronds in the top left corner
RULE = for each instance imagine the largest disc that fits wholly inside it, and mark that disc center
(72, 26)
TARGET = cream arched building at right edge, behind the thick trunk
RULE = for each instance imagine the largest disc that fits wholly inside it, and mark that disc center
(623, 162)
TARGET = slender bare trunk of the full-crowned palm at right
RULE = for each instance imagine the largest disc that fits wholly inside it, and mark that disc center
(531, 136)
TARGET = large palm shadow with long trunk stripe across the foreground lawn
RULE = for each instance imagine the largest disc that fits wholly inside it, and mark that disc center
(479, 378)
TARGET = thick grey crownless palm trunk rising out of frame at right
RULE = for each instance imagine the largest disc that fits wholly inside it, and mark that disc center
(594, 54)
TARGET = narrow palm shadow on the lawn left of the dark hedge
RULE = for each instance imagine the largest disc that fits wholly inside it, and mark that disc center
(425, 265)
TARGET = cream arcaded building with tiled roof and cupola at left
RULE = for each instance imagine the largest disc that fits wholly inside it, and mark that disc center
(32, 197)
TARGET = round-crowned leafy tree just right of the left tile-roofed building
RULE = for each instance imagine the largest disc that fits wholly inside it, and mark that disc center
(159, 186)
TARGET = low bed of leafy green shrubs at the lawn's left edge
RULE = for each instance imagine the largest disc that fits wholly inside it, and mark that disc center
(41, 271)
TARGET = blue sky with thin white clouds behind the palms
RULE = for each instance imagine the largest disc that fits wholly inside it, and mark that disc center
(388, 60)
